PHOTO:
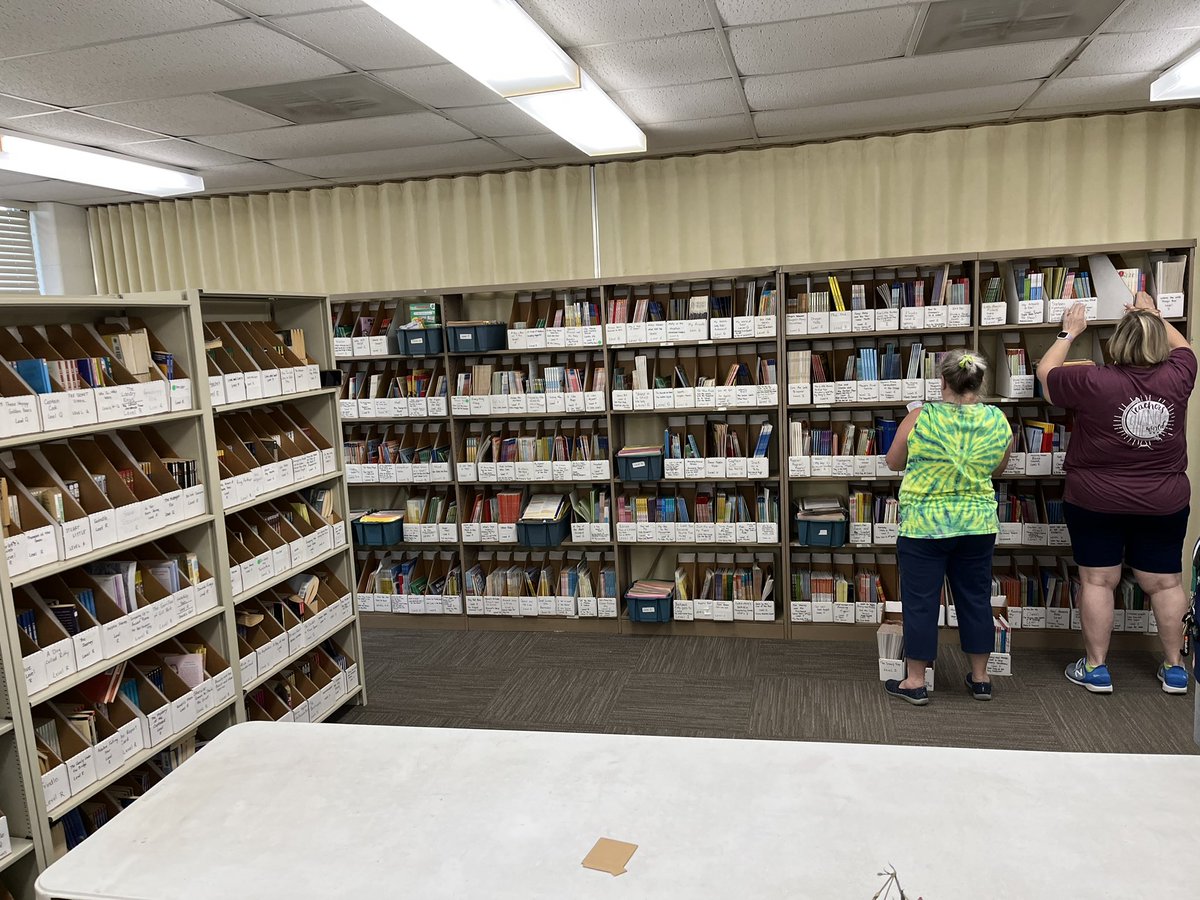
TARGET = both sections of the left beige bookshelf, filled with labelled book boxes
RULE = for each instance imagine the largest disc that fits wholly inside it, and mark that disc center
(118, 523)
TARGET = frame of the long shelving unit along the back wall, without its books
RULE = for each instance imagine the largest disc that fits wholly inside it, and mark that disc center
(625, 427)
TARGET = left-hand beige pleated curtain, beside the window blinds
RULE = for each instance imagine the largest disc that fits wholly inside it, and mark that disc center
(479, 230)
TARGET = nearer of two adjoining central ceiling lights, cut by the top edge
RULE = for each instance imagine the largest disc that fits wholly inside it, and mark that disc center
(494, 41)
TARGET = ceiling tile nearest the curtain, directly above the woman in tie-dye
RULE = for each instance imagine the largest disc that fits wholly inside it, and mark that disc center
(895, 113)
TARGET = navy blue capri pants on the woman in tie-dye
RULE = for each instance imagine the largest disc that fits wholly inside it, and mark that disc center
(926, 566)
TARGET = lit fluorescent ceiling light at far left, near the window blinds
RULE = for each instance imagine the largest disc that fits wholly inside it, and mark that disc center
(65, 163)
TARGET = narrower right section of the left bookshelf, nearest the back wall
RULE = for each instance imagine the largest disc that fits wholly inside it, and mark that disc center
(285, 506)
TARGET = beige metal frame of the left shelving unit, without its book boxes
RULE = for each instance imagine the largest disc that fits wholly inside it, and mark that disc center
(177, 320)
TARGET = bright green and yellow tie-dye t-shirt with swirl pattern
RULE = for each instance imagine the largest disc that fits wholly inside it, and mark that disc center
(947, 489)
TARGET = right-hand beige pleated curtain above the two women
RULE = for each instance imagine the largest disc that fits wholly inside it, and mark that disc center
(1067, 182)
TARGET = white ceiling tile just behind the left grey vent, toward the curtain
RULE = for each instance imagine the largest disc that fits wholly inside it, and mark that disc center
(352, 136)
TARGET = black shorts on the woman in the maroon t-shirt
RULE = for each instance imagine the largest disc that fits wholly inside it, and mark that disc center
(1150, 544)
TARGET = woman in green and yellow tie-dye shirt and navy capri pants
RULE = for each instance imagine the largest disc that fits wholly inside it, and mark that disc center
(949, 521)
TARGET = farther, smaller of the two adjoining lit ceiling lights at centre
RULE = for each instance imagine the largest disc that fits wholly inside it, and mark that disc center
(587, 118)
